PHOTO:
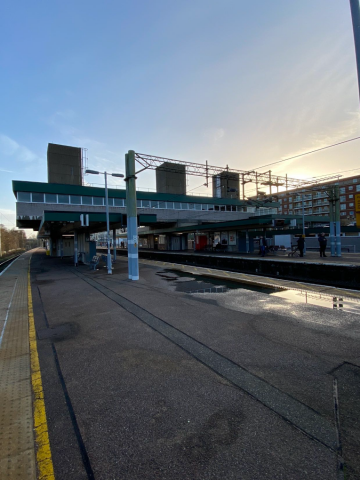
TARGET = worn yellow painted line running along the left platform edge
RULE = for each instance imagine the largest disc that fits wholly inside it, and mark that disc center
(43, 451)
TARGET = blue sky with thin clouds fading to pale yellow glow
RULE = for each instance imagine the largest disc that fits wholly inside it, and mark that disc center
(233, 82)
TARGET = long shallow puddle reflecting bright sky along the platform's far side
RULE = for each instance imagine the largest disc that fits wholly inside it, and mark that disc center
(200, 284)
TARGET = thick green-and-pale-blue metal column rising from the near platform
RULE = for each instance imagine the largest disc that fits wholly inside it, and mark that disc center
(133, 255)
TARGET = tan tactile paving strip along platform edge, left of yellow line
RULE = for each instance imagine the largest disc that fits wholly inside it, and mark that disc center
(17, 448)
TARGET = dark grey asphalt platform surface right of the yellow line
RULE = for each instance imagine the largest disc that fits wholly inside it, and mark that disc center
(144, 380)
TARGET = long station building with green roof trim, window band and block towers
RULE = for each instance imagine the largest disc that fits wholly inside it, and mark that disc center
(66, 213)
